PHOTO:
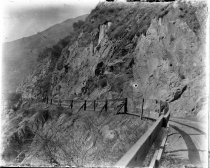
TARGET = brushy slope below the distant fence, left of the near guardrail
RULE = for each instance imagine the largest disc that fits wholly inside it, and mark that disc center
(55, 136)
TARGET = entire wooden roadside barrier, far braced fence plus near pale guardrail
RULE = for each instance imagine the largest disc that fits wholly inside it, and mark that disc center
(135, 156)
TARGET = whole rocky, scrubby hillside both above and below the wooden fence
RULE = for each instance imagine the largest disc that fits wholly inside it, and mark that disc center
(134, 50)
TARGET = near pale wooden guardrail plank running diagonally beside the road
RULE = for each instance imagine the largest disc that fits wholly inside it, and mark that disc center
(135, 156)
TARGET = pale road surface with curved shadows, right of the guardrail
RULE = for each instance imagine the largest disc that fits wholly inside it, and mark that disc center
(187, 142)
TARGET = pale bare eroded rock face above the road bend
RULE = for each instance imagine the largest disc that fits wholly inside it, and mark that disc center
(167, 59)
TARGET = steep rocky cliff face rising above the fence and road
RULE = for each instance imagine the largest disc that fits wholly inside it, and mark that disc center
(134, 50)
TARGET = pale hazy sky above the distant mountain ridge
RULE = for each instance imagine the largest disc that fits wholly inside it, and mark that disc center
(23, 18)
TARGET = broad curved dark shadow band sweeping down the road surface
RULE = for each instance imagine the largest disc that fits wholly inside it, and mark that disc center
(193, 153)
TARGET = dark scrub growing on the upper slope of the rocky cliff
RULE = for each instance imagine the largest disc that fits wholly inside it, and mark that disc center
(128, 23)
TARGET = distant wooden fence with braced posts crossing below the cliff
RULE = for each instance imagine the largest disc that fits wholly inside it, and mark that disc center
(100, 105)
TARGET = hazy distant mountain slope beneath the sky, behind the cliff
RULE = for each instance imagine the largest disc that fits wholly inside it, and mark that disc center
(19, 56)
